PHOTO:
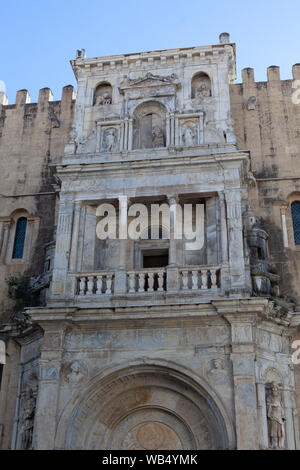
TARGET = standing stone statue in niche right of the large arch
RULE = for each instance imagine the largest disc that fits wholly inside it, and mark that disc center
(276, 418)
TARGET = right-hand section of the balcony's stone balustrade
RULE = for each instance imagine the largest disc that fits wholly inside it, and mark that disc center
(199, 278)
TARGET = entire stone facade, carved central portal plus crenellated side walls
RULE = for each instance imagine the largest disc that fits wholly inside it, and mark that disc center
(146, 344)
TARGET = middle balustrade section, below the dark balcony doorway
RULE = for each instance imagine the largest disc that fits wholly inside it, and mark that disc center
(147, 280)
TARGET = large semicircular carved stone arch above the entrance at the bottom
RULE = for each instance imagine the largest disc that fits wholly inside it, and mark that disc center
(148, 408)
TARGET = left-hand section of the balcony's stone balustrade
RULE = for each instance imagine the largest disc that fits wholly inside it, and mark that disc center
(100, 283)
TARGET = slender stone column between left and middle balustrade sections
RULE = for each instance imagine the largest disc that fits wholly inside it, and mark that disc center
(120, 275)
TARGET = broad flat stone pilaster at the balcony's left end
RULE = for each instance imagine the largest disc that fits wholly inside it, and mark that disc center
(62, 249)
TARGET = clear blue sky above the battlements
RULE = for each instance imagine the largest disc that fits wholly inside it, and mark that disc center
(38, 38)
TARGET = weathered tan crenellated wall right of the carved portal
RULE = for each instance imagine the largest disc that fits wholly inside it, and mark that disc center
(267, 123)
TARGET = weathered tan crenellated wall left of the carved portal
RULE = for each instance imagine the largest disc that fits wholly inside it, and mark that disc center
(32, 138)
